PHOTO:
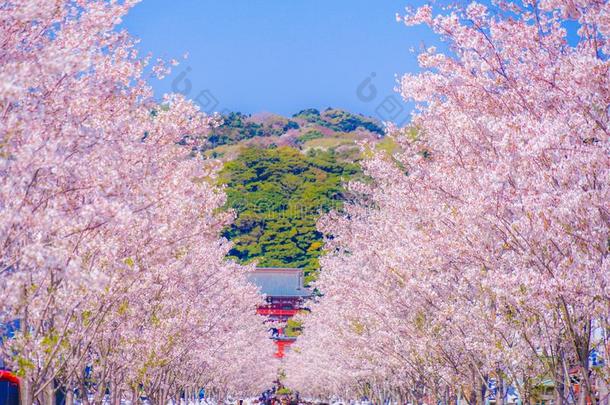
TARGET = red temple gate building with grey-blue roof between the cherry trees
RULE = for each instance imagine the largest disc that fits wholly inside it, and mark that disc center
(285, 296)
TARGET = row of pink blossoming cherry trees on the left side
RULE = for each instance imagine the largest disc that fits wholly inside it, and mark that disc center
(110, 258)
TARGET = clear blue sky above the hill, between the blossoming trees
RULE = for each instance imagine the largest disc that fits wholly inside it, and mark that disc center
(282, 55)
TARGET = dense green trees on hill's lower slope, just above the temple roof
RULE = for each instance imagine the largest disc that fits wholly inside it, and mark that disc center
(278, 195)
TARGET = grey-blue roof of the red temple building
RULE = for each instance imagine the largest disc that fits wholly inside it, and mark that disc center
(279, 282)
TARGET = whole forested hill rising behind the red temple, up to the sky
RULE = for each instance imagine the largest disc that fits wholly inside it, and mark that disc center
(281, 174)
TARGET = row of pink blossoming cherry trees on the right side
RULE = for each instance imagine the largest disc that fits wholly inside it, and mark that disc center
(479, 254)
